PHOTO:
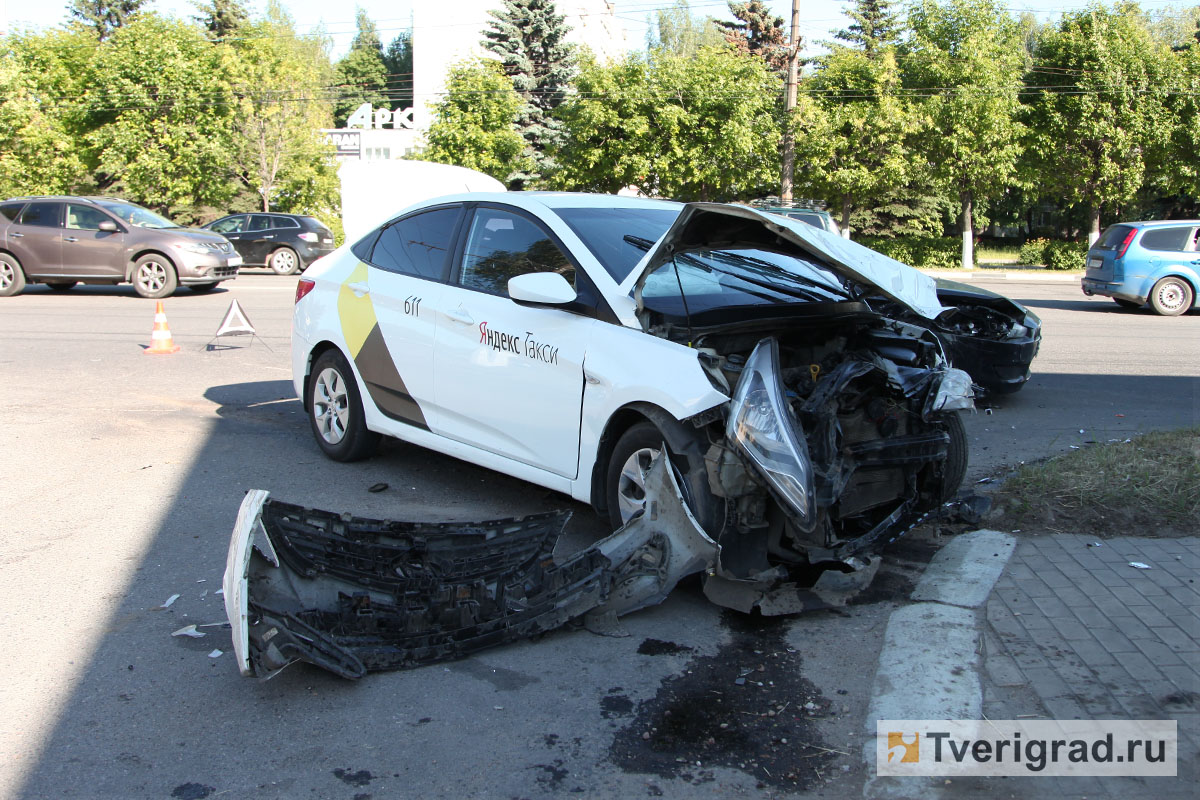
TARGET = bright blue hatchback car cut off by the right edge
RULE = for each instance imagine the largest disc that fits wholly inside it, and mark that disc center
(1137, 263)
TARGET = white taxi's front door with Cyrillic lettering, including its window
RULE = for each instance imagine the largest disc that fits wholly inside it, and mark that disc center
(511, 377)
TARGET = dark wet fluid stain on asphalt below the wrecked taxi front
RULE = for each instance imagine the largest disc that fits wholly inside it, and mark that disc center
(746, 708)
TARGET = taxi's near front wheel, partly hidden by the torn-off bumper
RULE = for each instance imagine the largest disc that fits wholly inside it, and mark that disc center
(625, 482)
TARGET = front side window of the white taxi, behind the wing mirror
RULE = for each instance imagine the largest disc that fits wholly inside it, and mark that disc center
(503, 245)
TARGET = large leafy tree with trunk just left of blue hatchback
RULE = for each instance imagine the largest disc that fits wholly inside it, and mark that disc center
(1096, 109)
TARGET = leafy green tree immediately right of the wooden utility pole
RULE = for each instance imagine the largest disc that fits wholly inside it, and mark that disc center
(855, 148)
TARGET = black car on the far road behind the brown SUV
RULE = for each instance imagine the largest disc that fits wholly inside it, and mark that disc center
(286, 243)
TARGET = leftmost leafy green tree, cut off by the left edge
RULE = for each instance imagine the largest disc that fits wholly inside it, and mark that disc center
(40, 147)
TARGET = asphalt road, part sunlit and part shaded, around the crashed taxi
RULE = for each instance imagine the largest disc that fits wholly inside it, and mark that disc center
(122, 477)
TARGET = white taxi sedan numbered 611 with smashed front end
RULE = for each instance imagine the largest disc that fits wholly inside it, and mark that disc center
(565, 339)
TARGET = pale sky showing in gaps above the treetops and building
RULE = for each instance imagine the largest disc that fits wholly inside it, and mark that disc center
(818, 17)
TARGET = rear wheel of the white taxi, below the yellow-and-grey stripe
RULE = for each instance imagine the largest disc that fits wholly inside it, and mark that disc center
(335, 411)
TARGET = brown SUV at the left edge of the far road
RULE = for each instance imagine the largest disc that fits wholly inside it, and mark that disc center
(63, 242)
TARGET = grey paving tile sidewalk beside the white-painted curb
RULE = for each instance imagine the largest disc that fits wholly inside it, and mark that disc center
(1072, 631)
